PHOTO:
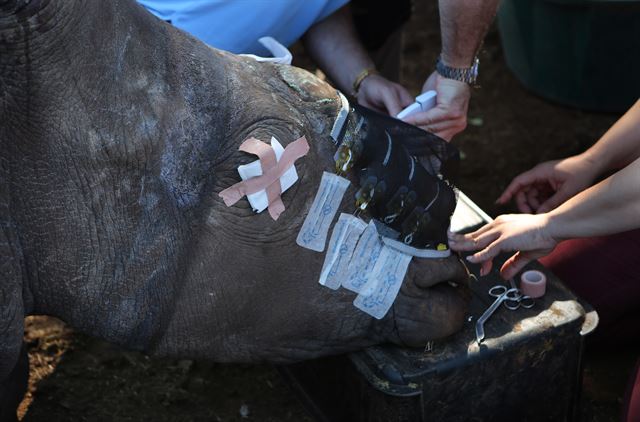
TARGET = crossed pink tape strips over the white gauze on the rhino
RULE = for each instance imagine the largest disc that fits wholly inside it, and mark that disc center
(272, 171)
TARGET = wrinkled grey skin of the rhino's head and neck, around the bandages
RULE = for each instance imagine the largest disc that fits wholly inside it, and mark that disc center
(117, 132)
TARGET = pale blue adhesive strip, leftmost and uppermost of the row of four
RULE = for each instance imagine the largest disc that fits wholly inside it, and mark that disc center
(313, 234)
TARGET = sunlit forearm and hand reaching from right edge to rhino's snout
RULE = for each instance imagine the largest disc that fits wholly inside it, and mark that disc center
(611, 206)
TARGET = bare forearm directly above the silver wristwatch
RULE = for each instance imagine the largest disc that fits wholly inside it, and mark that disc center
(464, 24)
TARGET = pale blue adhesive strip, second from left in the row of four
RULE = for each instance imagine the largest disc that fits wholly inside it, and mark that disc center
(344, 238)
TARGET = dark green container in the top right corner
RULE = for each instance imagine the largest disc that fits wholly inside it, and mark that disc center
(581, 53)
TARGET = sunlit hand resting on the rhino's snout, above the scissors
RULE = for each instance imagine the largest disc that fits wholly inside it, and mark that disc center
(526, 234)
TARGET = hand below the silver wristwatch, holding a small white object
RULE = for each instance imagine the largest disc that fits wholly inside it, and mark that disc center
(449, 116)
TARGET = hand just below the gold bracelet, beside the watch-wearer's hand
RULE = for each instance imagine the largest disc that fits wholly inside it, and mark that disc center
(381, 94)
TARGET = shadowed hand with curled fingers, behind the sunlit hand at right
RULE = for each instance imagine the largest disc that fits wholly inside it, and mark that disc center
(549, 184)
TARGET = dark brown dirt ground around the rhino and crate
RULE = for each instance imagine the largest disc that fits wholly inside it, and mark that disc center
(75, 377)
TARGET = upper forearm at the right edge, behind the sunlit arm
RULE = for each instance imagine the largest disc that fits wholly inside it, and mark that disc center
(620, 145)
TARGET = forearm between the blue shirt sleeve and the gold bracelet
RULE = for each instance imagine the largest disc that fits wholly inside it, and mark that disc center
(334, 45)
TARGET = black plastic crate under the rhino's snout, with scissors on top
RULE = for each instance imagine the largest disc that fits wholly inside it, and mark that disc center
(527, 369)
